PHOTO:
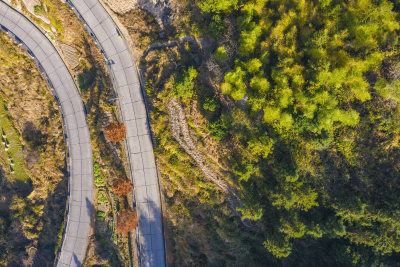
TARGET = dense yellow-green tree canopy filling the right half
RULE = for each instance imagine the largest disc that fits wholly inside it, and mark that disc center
(319, 161)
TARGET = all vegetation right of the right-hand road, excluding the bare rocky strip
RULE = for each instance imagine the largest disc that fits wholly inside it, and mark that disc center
(295, 101)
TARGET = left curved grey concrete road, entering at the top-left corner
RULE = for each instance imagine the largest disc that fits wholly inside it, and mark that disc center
(76, 131)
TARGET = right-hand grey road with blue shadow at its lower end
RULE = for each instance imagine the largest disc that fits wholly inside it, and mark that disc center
(133, 111)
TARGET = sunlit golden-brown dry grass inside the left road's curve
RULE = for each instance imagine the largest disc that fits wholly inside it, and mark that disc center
(31, 104)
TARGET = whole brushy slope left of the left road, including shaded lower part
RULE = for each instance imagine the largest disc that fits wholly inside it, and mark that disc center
(36, 217)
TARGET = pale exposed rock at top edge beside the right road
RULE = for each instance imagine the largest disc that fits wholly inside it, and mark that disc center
(158, 8)
